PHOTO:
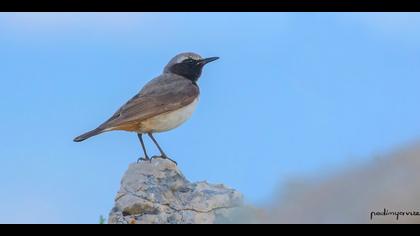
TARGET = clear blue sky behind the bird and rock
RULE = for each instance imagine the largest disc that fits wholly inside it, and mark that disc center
(294, 94)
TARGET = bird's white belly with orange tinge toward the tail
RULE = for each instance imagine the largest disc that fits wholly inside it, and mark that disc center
(169, 120)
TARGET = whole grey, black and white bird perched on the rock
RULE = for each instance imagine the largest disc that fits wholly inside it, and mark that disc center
(163, 104)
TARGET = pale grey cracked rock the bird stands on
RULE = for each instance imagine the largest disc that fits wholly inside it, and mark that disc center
(158, 193)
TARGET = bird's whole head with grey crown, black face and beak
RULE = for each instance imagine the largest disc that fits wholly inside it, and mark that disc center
(188, 65)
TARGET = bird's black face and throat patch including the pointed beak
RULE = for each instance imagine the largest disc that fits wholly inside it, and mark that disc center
(191, 68)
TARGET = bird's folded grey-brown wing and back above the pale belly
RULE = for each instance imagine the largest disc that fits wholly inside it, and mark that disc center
(163, 94)
